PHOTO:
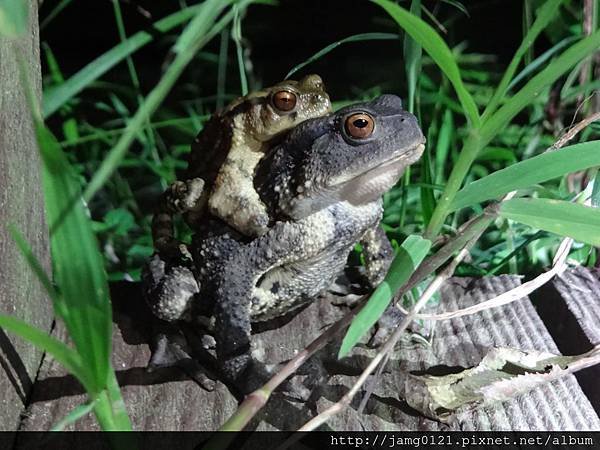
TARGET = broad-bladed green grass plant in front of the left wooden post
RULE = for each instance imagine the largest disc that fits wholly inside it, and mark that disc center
(81, 300)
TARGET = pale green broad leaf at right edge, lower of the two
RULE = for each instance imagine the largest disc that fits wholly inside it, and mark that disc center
(580, 222)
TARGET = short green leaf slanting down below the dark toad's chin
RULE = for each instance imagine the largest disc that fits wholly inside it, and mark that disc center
(409, 256)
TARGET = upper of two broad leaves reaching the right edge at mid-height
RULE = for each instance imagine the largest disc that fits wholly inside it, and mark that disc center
(535, 170)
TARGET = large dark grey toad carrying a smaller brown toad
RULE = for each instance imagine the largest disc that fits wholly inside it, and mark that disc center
(322, 186)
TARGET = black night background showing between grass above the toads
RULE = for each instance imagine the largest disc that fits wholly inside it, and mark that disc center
(280, 37)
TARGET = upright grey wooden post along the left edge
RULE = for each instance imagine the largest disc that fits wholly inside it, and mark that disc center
(21, 205)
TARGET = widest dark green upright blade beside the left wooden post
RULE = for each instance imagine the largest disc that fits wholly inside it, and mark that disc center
(78, 264)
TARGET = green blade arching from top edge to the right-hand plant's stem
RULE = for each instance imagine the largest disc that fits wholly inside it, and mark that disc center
(433, 44)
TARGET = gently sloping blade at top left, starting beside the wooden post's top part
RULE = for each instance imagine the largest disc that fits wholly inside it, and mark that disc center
(57, 96)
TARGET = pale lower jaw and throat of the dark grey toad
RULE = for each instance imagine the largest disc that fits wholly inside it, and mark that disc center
(369, 185)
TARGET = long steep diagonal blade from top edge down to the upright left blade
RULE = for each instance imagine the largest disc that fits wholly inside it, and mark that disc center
(198, 32)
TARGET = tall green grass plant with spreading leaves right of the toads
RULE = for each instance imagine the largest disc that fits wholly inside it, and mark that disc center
(493, 121)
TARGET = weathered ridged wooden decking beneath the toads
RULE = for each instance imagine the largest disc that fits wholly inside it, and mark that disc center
(166, 400)
